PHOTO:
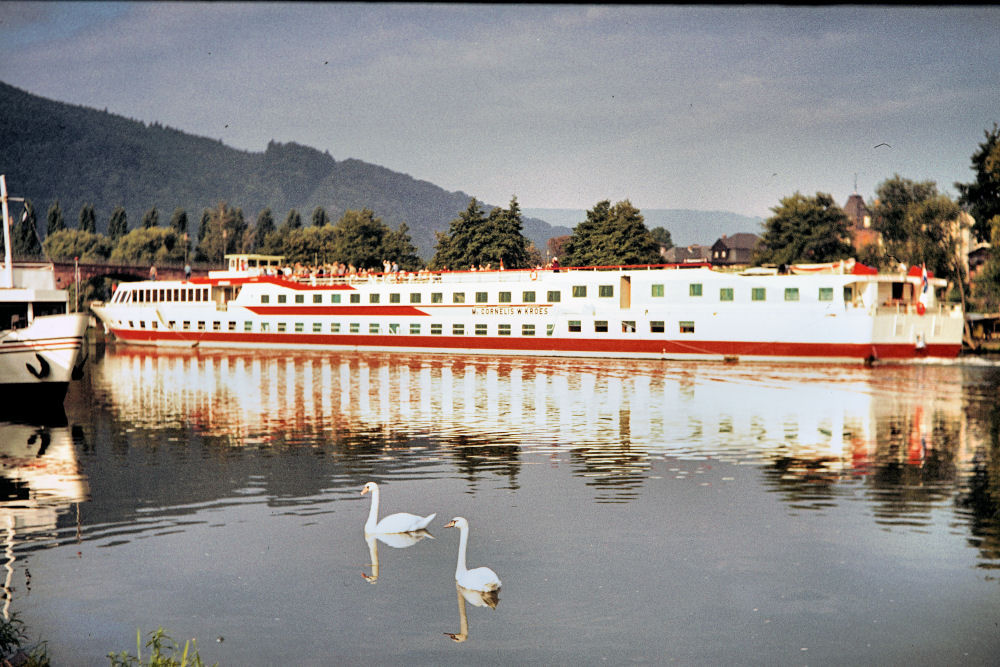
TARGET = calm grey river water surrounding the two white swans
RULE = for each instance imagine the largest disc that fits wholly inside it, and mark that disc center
(646, 512)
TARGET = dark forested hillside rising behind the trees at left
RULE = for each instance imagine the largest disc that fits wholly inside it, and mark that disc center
(79, 156)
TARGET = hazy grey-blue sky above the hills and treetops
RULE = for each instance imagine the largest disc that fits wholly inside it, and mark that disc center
(712, 108)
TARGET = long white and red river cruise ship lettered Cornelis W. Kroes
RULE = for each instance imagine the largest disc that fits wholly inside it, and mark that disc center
(841, 312)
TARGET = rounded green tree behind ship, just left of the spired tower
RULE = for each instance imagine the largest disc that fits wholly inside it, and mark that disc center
(805, 229)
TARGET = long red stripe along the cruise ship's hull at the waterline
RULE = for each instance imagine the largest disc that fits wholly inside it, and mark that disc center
(541, 345)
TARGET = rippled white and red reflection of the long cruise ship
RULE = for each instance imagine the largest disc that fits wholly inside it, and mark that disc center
(912, 435)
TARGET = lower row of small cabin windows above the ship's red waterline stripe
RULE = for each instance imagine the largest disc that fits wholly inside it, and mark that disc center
(416, 328)
